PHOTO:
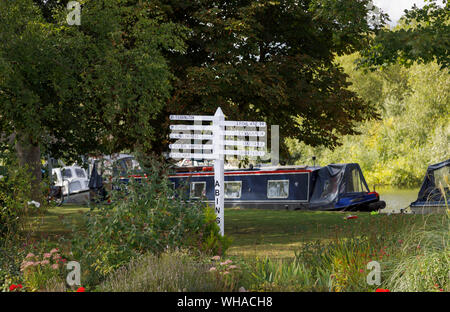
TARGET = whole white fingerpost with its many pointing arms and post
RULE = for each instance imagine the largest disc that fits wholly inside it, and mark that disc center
(217, 136)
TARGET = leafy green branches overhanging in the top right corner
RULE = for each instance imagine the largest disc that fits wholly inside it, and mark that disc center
(423, 36)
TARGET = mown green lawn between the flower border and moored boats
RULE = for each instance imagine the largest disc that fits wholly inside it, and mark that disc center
(258, 232)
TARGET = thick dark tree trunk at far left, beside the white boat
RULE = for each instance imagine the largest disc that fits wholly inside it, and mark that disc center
(29, 156)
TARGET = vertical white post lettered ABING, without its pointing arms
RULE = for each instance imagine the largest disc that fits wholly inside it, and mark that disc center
(219, 189)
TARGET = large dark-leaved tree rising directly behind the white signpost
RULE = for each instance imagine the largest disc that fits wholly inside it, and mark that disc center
(270, 60)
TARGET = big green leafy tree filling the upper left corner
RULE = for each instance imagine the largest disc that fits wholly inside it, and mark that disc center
(70, 90)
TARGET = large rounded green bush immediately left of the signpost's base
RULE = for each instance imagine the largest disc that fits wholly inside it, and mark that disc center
(144, 216)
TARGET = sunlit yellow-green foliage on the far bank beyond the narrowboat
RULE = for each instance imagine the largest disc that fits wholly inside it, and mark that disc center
(414, 131)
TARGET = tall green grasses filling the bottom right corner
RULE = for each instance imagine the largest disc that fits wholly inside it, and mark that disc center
(414, 256)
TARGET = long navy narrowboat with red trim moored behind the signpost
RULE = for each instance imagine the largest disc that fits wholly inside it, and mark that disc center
(336, 187)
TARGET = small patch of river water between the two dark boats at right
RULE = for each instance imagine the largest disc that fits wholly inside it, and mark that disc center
(396, 198)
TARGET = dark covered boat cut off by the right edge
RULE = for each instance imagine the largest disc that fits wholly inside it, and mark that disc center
(434, 194)
